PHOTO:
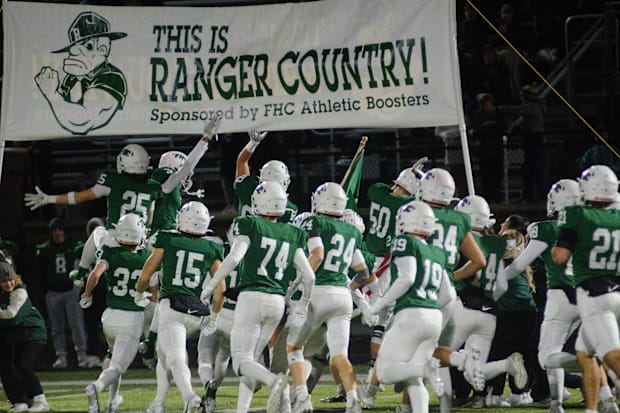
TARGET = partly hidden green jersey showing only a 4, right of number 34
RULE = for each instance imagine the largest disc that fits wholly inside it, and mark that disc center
(493, 248)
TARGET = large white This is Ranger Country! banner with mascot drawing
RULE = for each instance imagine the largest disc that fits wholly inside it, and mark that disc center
(74, 70)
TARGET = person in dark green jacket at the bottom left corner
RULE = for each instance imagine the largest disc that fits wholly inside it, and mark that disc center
(22, 336)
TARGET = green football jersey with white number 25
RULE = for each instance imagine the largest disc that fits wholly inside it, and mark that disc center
(128, 195)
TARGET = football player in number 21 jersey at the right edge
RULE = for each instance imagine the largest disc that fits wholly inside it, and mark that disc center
(589, 239)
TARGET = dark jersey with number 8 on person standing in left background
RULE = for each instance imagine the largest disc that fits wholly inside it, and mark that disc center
(55, 262)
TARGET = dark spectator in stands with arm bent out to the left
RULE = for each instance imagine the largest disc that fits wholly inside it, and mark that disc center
(529, 123)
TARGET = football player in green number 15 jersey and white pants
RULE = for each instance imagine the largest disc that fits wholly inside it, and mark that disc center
(185, 256)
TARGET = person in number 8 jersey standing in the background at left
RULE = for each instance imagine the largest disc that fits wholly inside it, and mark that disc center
(56, 258)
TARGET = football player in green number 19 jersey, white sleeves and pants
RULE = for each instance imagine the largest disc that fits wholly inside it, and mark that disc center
(419, 271)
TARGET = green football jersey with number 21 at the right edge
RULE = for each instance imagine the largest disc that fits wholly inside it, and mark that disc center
(598, 241)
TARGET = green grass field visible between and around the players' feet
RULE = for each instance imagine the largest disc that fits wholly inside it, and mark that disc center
(65, 393)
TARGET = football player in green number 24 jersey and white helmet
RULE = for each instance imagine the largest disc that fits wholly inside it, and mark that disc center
(334, 247)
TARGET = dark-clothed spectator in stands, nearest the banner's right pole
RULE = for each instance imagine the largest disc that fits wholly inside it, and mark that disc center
(488, 126)
